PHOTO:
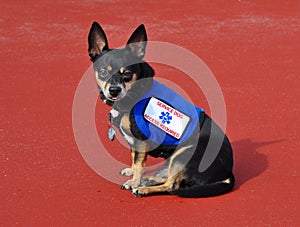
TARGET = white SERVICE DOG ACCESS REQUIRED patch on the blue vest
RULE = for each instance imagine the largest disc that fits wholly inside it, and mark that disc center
(166, 118)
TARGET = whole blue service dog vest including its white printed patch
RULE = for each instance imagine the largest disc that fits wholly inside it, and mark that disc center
(164, 117)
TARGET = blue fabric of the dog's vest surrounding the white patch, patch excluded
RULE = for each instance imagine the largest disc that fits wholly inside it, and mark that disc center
(172, 99)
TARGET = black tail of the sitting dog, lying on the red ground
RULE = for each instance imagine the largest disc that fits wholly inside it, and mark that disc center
(207, 190)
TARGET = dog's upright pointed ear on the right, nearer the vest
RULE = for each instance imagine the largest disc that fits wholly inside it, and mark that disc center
(138, 41)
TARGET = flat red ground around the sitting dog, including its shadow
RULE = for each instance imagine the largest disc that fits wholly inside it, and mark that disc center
(253, 50)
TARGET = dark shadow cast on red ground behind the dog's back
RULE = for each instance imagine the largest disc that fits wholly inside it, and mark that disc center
(249, 163)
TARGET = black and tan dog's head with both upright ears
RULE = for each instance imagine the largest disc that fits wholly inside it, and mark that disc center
(117, 70)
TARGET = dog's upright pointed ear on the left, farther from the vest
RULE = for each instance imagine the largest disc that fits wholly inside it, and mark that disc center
(97, 41)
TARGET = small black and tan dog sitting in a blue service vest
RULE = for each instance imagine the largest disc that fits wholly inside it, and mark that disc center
(144, 110)
